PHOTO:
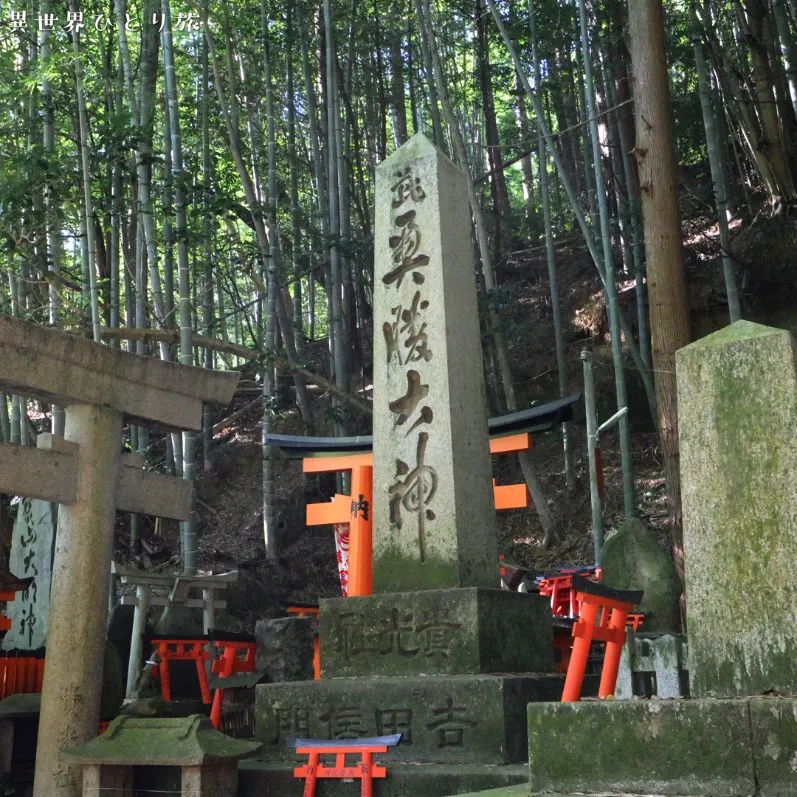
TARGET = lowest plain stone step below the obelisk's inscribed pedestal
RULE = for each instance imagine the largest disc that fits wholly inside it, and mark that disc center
(260, 779)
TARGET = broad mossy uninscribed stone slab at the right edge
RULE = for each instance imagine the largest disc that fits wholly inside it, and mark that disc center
(737, 410)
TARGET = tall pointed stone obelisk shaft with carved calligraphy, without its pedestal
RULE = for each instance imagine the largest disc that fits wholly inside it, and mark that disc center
(433, 512)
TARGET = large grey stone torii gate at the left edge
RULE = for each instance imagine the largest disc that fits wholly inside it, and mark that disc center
(87, 474)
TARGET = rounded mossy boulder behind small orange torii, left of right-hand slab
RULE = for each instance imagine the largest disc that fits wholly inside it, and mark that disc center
(632, 559)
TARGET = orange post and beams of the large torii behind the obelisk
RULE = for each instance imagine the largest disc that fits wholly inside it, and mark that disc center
(354, 509)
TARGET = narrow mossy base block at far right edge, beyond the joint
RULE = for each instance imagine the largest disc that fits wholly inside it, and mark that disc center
(773, 723)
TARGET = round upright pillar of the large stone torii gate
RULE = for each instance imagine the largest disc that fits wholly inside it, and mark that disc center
(79, 600)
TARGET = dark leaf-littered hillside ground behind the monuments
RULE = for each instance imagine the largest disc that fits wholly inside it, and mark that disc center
(229, 492)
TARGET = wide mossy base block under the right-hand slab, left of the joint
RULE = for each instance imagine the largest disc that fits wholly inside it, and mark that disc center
(642, 746)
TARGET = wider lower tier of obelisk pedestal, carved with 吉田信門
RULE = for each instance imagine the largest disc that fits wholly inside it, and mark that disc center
(443, 719)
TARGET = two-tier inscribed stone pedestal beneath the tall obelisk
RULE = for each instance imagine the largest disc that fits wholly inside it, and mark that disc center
(451, 670)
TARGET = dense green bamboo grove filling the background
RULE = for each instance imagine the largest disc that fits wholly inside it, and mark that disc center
(194, 180)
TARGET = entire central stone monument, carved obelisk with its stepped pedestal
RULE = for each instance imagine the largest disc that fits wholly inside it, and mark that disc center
(439, 653)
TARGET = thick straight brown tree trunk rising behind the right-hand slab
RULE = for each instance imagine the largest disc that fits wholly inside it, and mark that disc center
(669, 312)
